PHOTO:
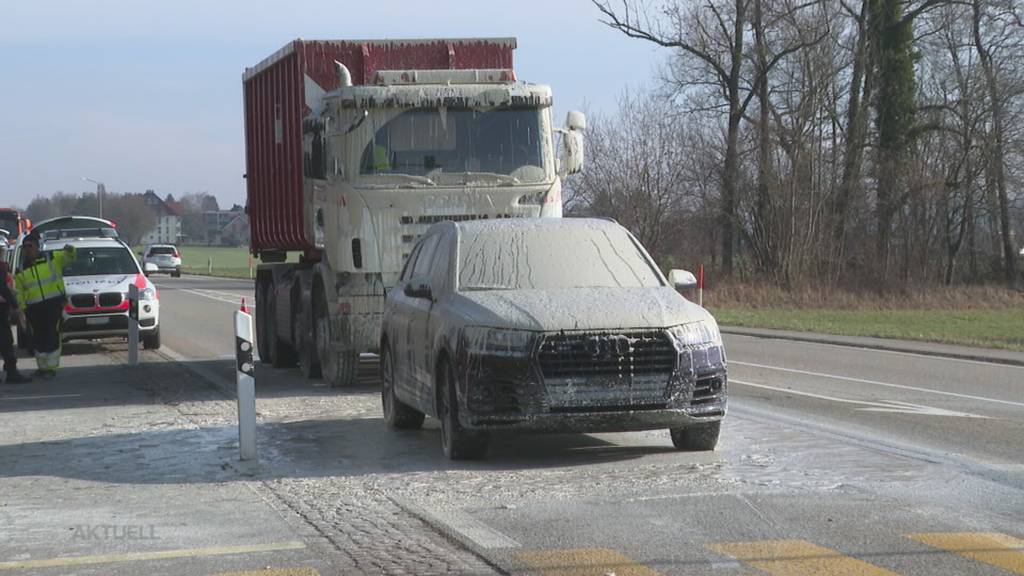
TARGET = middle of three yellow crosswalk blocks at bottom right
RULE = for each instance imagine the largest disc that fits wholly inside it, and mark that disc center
(798, 558)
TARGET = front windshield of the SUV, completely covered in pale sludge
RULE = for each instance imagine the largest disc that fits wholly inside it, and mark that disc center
(542, 257)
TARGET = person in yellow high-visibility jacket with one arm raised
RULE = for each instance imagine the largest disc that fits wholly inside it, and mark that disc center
(41, 296)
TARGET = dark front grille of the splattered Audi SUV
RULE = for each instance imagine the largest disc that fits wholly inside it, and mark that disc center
(616, 371)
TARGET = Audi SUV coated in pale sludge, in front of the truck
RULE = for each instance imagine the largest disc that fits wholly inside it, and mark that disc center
(559, 325)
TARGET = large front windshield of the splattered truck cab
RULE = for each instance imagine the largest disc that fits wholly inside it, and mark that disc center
(501, 146)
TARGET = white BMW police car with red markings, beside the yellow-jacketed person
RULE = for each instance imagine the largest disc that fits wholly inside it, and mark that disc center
(98, 285)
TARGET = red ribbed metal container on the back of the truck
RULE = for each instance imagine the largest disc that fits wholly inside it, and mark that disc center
(276, 103)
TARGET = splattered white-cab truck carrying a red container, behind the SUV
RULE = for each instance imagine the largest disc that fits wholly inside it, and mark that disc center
(354, 149)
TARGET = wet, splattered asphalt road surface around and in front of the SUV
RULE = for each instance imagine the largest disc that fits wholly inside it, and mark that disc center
(833, 461)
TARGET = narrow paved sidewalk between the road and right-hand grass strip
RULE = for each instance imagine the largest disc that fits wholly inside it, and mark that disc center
(927, 349)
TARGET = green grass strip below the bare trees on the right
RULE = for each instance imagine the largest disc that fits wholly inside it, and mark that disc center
(998, 328)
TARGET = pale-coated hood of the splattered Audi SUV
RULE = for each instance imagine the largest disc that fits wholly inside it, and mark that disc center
(578, 309)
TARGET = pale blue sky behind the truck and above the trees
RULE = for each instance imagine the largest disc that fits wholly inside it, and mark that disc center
(149, 95)
